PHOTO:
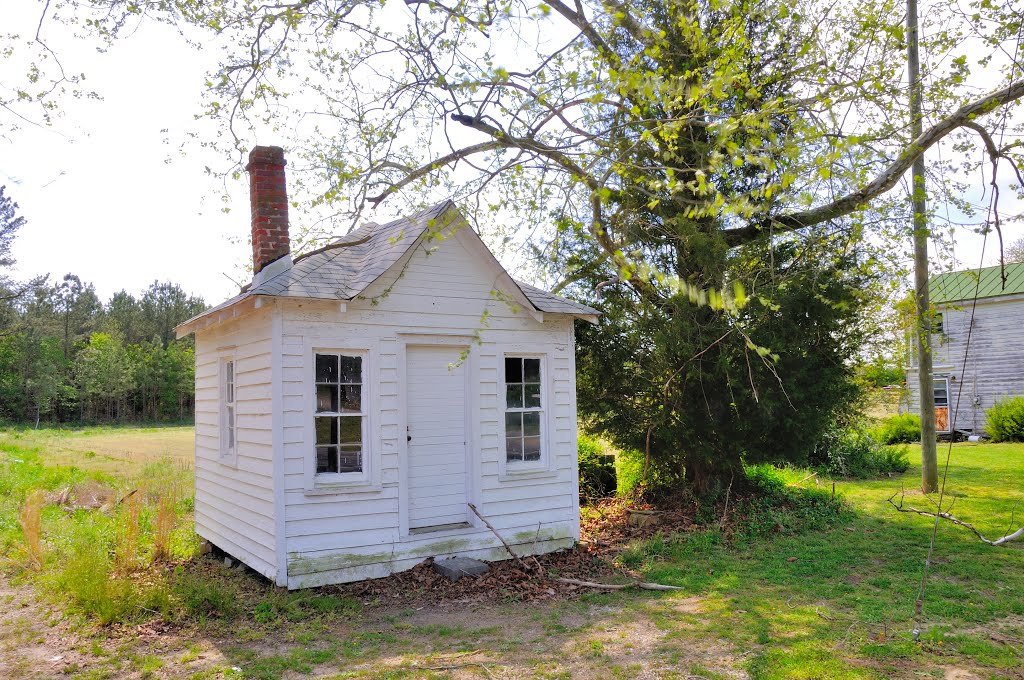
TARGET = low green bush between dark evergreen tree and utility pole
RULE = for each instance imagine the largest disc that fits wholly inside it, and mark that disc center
(854, 451)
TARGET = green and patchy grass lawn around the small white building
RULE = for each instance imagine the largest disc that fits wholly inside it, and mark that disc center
(794, 591)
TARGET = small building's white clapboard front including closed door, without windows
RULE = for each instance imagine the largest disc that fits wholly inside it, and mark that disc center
(446, 293)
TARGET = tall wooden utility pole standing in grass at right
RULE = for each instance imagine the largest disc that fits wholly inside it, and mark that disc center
(929, 462)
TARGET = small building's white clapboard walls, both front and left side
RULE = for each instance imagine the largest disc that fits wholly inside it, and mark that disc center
(266, 506)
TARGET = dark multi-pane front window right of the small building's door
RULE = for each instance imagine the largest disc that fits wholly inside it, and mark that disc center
(524, 409)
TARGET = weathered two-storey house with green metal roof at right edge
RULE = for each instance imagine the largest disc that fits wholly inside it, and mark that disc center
(995, 365)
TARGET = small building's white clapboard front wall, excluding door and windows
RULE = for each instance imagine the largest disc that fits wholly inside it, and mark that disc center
(333, 535)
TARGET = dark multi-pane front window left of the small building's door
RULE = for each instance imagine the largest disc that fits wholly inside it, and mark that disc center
(339, 417)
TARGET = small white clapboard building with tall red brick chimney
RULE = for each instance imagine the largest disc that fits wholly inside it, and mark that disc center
(351, 405)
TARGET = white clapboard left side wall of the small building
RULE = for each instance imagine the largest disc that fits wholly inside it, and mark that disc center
(235, 506)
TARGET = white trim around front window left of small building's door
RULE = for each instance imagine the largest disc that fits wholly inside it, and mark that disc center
(369, 480)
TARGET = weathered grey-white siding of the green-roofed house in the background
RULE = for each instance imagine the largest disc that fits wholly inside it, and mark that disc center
(995, 365)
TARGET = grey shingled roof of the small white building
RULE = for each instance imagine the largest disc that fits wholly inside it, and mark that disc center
(349, 266)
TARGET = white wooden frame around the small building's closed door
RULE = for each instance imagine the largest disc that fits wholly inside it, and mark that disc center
(460, 343)
